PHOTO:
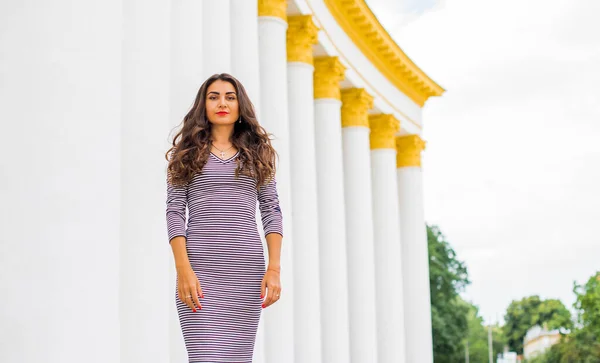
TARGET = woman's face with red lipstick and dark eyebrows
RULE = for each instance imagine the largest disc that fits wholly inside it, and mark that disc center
(222, 107)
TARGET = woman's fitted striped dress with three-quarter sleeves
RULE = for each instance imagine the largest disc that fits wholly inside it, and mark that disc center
(225, 250)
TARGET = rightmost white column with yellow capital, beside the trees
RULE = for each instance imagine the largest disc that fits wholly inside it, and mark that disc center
(415, 258)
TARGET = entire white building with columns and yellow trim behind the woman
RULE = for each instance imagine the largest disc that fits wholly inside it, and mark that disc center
(90, 92)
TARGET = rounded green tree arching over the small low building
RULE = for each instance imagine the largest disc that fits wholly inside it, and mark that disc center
(524, 314)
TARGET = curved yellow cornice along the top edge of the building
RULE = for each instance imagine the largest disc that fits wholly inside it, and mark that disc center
(361, 25)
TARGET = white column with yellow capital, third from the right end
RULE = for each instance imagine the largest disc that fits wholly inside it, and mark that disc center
(359, 224)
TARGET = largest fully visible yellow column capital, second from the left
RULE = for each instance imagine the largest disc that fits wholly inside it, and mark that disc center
(301, 35)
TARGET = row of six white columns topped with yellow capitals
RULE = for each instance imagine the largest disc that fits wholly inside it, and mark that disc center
(359, 260)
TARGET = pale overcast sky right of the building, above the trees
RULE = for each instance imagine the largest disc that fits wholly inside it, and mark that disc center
(512, 165)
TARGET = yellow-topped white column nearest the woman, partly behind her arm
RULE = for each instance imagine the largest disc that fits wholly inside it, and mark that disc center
(272, 25)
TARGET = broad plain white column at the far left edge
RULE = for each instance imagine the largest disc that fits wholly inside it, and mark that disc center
(60, 109)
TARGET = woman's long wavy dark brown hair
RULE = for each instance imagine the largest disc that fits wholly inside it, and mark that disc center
(191, 145)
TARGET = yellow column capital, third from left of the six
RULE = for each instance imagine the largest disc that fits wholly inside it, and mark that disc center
(329, 72)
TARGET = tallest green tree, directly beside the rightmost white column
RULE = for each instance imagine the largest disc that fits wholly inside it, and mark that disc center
(447, 278)
